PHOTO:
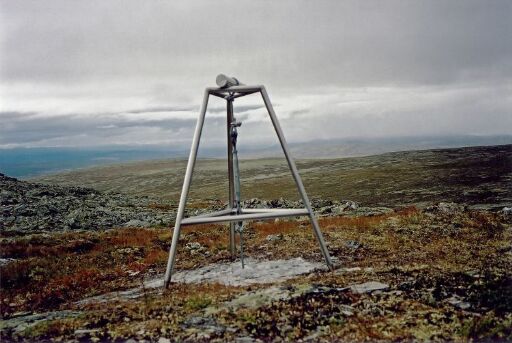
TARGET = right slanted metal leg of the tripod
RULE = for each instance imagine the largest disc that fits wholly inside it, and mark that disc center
(296, 177)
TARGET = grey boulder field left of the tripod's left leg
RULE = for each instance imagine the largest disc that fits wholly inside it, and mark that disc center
(29, 207)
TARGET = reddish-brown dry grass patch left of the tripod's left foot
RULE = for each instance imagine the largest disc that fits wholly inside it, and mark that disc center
(66, 266)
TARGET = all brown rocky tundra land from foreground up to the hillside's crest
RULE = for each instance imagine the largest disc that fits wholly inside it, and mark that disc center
(422, 250)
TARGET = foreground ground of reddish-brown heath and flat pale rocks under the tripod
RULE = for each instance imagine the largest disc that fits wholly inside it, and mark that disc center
(438, 273)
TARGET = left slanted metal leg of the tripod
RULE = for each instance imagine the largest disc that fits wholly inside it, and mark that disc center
(184, 191)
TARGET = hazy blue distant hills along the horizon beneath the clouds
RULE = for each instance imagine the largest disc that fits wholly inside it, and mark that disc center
(30, 162)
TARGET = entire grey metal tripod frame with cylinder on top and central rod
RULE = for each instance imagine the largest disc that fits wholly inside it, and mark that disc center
(230, 89)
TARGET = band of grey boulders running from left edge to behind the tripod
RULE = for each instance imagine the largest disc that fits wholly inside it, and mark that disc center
(35, 207)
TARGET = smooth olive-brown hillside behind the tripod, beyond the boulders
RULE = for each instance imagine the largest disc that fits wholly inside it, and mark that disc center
(477, 176)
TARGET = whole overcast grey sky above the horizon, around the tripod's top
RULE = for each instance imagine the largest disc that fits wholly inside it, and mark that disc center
(88, 73)
